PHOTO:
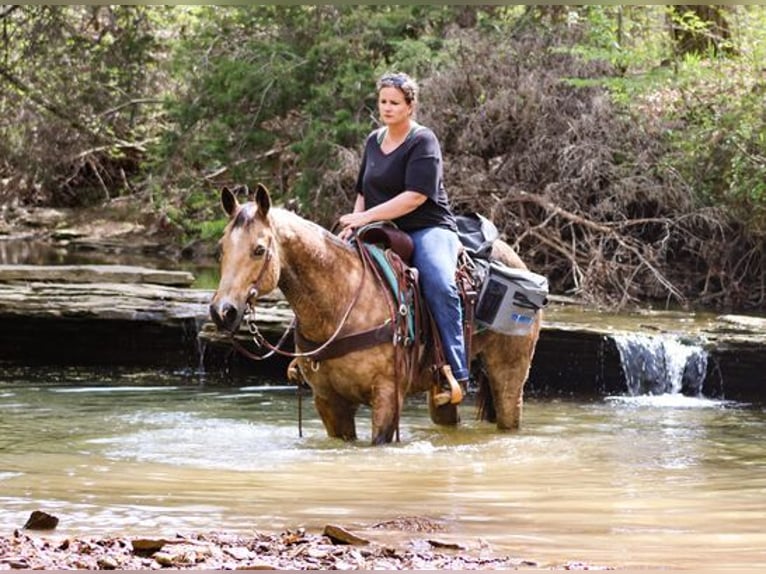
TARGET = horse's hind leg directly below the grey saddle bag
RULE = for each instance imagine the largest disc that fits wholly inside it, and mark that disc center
(507, 361)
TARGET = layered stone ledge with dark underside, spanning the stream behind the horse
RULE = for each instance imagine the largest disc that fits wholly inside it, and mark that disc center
(134, 321)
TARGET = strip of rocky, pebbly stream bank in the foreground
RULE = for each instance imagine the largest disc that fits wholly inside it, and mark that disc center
(333, 549)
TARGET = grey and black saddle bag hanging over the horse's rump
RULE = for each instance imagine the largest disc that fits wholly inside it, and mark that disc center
(510, 298)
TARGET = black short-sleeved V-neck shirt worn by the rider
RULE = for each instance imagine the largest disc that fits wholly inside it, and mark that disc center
(416, 165)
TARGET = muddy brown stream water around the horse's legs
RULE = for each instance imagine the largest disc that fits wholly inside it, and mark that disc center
(623, 481)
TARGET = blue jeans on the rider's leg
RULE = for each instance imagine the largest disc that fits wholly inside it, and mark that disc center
(435, 256)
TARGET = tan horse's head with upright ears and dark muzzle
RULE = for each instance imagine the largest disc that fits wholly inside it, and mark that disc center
(249, 257)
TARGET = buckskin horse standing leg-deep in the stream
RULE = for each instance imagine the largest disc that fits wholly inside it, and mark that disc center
(331, 293)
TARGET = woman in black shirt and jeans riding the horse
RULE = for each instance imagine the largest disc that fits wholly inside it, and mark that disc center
(401, 180)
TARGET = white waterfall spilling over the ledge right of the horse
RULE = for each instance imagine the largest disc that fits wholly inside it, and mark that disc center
(661, 364)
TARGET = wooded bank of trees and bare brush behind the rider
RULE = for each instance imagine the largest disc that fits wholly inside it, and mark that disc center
(620, 149)
